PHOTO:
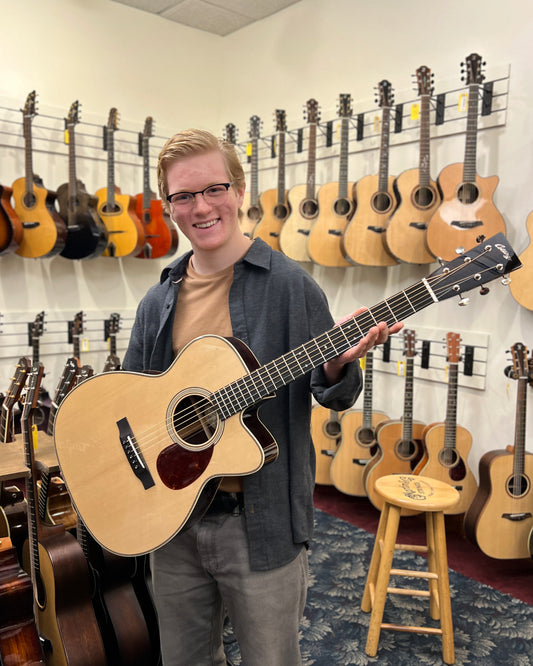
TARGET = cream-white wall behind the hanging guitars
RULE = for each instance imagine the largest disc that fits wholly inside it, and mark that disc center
(106, 54)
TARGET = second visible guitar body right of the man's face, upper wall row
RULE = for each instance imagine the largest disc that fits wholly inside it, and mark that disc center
(275, 203)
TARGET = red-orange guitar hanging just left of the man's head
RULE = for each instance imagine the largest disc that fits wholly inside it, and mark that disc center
(160, 233)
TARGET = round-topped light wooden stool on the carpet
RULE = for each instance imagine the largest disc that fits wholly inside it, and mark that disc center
(432, 497)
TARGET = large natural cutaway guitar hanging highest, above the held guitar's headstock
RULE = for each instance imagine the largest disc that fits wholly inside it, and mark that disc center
(467, 209)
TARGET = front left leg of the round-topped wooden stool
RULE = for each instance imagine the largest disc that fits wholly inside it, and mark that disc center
(382, 583)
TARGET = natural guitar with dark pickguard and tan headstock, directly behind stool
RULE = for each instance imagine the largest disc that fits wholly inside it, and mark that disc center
(448, 444)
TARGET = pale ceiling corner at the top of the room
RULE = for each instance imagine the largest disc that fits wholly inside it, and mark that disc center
(219, 17)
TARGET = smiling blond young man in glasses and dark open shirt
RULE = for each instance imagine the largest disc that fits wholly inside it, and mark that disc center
(247, 556)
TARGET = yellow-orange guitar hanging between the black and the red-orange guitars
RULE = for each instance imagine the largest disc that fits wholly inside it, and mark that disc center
(117, 210)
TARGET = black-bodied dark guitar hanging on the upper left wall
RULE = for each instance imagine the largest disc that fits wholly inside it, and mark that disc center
(86, 233)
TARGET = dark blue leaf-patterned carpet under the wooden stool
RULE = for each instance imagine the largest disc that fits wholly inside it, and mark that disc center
(490, 628)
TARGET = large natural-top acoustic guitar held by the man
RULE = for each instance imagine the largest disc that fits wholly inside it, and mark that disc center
(157, 446)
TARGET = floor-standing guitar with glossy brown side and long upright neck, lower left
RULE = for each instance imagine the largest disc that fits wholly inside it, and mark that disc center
(58, 569)
